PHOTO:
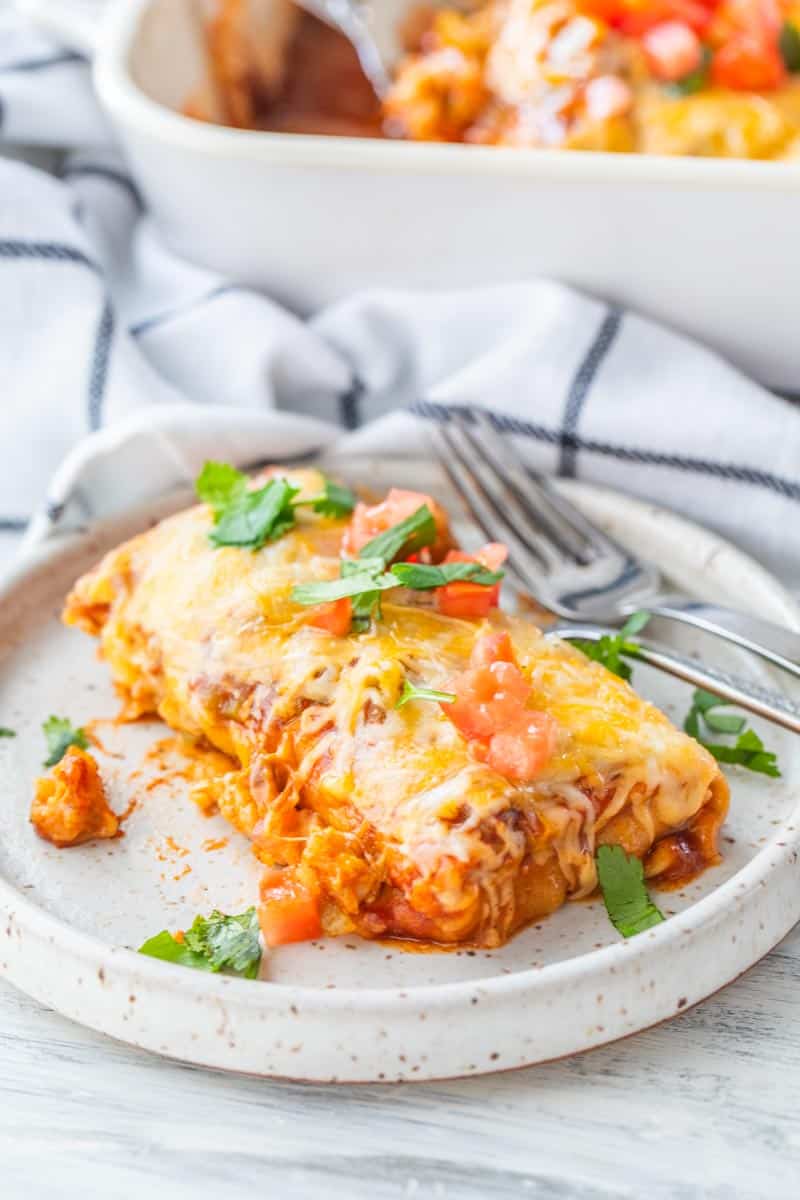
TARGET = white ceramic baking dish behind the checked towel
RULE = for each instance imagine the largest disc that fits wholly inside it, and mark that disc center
(709, 247)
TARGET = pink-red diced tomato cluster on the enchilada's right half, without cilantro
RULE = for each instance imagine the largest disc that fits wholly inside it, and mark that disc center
(491, 711)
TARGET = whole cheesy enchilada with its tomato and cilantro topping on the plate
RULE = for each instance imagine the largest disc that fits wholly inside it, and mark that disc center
(407, 760)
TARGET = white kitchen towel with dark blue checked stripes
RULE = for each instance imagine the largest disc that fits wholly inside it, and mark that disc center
(135, 365)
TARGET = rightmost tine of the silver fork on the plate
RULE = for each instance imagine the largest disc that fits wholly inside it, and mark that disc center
(543, 503)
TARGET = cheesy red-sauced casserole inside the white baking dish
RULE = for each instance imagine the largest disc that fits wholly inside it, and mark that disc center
(679, 77)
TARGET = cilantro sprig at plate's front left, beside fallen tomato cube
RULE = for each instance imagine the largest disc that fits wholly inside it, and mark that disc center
(219, 943)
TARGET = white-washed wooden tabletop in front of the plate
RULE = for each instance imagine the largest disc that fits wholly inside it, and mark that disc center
(706, 1107)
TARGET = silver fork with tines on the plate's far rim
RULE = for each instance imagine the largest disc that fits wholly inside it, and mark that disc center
(563, 560)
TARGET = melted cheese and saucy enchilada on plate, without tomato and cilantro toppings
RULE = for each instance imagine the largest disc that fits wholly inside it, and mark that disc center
(338, 776)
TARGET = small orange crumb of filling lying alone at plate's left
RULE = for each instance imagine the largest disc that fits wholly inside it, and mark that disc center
(70, 806)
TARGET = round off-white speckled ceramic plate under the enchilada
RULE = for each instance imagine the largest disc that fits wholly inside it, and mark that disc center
(346, 1010)
